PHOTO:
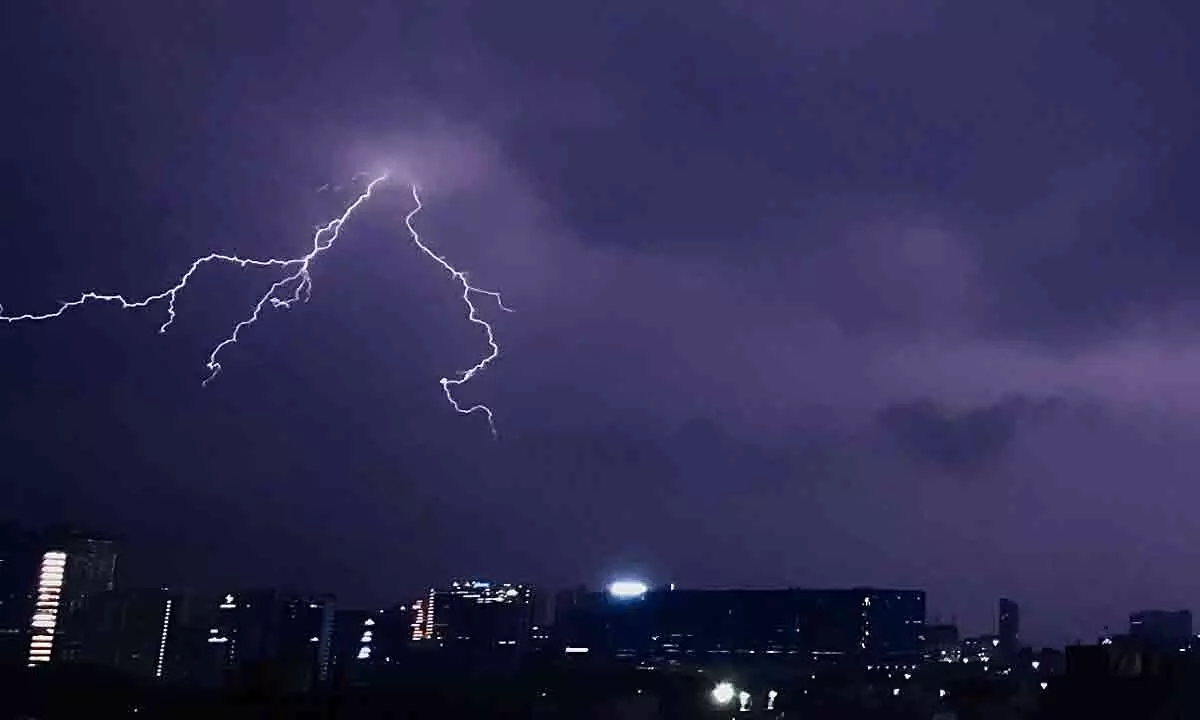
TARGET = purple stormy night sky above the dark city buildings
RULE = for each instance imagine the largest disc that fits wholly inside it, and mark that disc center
(817, 293)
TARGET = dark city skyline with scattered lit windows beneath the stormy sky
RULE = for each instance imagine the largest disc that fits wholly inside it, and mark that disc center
(65, 613)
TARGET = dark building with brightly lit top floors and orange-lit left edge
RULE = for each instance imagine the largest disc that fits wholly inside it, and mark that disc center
(476, 614)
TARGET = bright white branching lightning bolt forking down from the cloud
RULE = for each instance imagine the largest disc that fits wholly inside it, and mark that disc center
(291, 290)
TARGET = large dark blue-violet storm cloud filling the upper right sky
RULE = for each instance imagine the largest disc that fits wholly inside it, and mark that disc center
(797, 118)
